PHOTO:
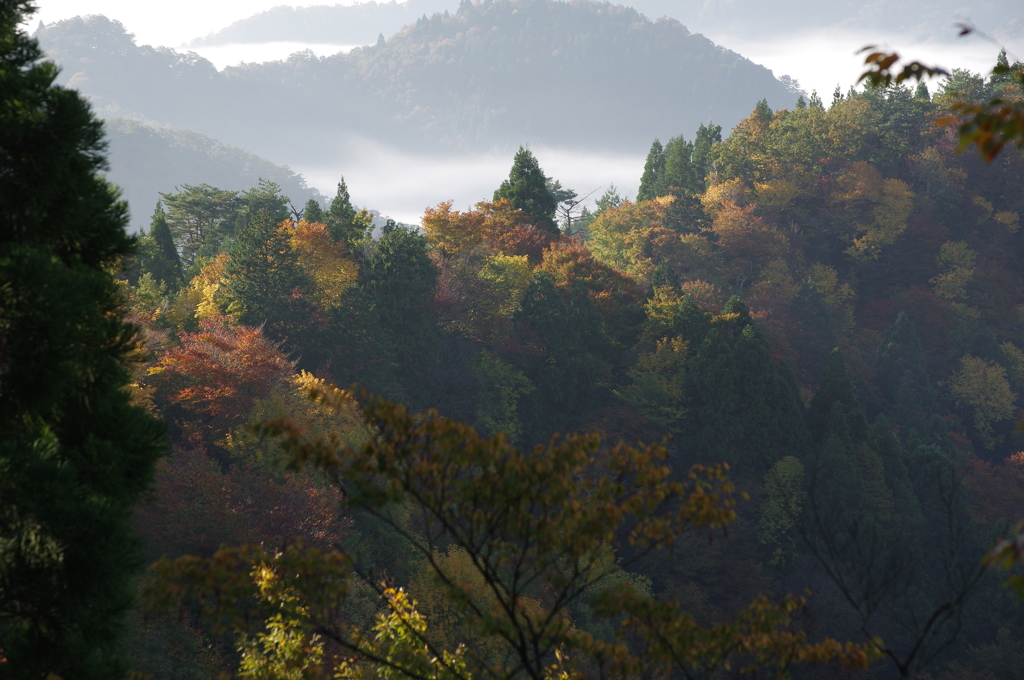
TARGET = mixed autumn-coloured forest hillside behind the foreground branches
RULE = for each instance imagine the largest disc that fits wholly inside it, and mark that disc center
(829, 300)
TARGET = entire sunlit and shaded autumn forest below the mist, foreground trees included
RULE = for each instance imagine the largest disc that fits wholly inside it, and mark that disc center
(759, 422)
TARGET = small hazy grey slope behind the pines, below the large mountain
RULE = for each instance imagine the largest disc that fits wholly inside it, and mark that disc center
(146, 161)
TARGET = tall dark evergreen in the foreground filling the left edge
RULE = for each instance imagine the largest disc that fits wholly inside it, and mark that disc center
(75, 454)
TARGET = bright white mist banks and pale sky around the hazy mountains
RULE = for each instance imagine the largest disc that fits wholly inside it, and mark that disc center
(401, 185)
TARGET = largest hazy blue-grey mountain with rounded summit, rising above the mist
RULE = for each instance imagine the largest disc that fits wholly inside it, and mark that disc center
(492, 76)
